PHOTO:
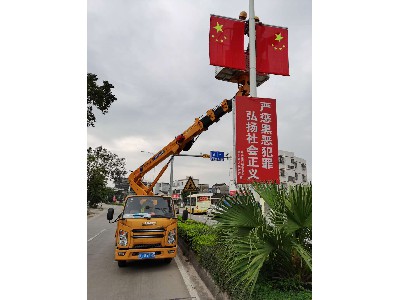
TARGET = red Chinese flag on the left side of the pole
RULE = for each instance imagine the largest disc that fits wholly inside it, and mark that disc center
(226, 43)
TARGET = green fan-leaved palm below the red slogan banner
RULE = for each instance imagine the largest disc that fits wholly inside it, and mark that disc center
(280, 240)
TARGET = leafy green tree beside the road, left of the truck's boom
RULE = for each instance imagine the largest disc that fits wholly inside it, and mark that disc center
(102, 166)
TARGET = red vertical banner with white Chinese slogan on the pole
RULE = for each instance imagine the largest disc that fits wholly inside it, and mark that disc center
(256, 140)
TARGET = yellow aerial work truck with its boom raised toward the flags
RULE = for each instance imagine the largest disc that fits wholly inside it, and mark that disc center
(147, 226)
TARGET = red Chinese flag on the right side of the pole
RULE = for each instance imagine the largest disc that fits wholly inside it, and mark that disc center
(272, 50)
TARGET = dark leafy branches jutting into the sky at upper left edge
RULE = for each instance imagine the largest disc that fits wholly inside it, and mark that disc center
(99, 96)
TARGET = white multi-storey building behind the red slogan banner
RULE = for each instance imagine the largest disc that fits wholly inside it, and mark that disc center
(292, 169)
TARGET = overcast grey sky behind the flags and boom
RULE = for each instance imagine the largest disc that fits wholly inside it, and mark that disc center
(155, 53)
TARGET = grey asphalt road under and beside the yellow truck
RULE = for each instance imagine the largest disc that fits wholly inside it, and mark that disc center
(152, 280)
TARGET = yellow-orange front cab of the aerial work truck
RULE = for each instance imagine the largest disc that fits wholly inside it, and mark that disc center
(146, 229)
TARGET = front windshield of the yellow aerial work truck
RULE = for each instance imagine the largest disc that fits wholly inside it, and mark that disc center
(147, 206)
